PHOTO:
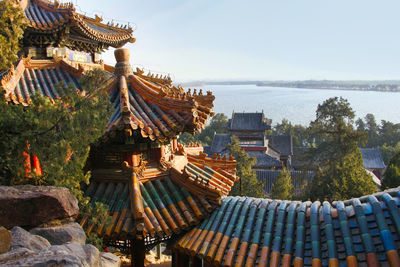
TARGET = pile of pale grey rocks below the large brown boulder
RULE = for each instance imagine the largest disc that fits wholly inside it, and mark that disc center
(32, 250)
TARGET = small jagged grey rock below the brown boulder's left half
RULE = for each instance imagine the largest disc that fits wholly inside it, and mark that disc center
(23, 239)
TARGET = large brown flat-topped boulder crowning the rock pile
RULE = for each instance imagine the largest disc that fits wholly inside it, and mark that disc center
(29, 205)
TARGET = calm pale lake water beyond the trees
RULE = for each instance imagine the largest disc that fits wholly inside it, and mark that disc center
(299, 105)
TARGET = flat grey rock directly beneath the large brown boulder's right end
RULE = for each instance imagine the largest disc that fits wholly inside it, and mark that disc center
(59, 235)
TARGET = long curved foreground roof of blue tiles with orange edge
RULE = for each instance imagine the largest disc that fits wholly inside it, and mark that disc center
(262, 232)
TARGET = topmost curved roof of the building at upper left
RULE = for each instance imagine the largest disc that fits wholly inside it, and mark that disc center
(48, 17)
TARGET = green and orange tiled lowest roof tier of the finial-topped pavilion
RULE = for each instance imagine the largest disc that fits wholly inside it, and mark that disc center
(168, 208)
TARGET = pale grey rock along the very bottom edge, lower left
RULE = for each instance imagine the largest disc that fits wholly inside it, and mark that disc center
(71, 255)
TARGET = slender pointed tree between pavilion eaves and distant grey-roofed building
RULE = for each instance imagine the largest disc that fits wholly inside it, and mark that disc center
(248, 185)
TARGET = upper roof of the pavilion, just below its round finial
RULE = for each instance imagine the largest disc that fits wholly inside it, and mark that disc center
(156, 111)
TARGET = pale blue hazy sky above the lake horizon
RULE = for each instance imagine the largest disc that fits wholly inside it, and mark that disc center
(260, 39)
